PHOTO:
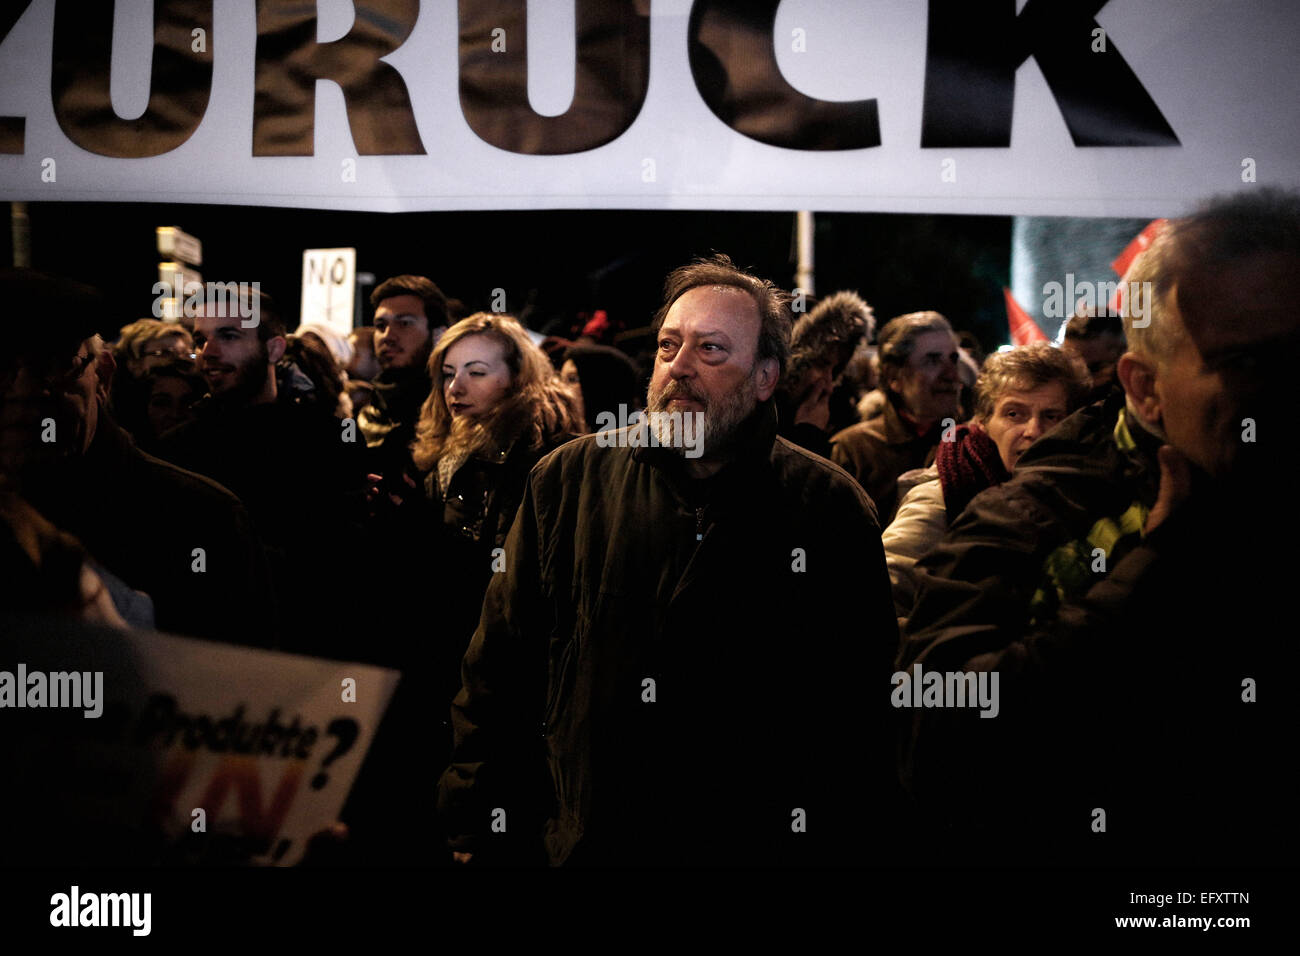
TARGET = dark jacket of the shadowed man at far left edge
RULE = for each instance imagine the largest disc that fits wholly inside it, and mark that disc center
(144, 518)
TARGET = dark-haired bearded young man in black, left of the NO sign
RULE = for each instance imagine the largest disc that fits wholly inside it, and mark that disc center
(292, 465)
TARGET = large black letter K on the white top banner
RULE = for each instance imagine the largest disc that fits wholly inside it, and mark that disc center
(976, 47)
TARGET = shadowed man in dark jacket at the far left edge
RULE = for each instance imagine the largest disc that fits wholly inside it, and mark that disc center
(62, 449)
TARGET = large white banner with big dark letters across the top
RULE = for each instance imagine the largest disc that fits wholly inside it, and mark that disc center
(1137, 109)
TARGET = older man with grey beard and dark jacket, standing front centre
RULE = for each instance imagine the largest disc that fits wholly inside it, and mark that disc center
(671, 668)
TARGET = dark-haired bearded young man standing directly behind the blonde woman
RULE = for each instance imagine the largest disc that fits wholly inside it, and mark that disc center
(410, 318)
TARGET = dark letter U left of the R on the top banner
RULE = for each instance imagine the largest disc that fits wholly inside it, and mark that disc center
(180, 79)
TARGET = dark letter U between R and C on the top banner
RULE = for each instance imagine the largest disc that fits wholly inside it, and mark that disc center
(610, 81)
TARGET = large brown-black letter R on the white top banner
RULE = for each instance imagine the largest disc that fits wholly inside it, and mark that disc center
(291, 60)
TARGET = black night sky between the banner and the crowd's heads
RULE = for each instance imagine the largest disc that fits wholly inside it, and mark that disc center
(564, 262)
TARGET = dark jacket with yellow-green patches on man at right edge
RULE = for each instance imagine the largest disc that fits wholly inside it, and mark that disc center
(1121, 672)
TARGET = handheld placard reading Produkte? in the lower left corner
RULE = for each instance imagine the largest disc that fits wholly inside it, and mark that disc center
(220, 754)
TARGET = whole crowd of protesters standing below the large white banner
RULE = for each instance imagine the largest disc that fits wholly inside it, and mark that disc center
(656, 659)
